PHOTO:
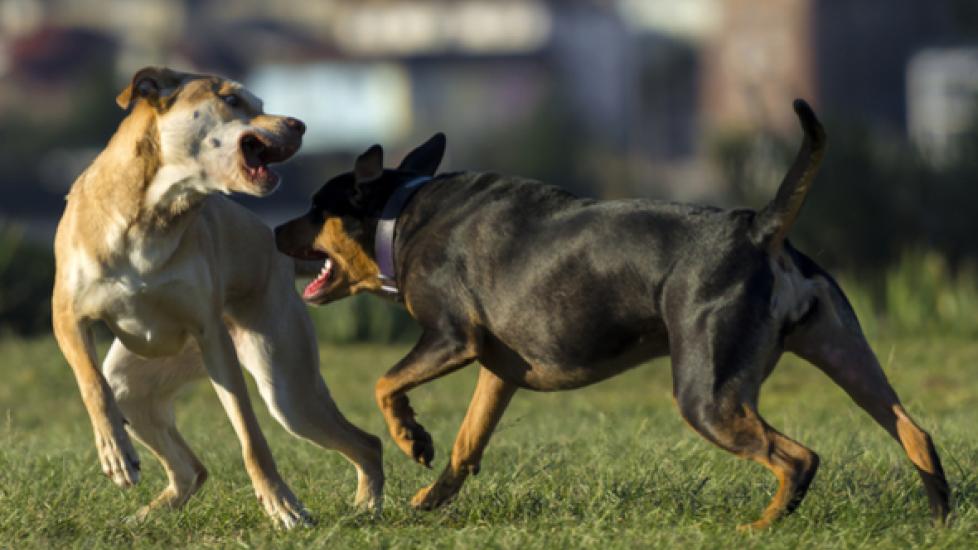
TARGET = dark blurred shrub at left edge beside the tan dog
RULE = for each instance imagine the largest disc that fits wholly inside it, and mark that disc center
(26, 280)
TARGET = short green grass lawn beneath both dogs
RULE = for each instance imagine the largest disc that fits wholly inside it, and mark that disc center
(611, 466)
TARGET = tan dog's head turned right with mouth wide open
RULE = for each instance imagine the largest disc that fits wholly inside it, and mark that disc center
(212, 134)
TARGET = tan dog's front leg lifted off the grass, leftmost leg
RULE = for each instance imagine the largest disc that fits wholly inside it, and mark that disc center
(115, 451)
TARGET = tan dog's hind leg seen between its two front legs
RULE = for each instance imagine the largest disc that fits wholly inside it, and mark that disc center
(145, 389)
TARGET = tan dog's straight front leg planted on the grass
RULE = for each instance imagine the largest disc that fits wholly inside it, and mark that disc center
(222, 365)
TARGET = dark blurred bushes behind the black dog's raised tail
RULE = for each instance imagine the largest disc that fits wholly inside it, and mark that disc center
(874, 198)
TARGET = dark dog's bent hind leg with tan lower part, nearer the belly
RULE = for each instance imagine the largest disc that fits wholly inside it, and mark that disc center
(717, 376)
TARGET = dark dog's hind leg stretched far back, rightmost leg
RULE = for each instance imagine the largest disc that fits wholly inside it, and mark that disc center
(833, 343)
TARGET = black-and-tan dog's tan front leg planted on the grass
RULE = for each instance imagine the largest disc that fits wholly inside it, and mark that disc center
(492, 395)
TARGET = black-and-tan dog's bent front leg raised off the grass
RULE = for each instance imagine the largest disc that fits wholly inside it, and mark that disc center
(435, 355)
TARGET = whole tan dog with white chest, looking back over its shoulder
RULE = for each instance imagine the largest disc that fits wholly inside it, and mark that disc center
(190, 283)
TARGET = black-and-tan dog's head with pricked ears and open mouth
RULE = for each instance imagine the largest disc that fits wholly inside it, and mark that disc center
(340, 226)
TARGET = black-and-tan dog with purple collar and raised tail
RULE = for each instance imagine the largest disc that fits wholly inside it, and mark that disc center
(552, 292)
